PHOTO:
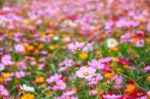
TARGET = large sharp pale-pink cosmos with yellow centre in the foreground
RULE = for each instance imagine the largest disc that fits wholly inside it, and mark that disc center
(85, 72)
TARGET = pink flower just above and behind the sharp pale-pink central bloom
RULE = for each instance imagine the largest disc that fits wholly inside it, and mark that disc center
(96, 64)
